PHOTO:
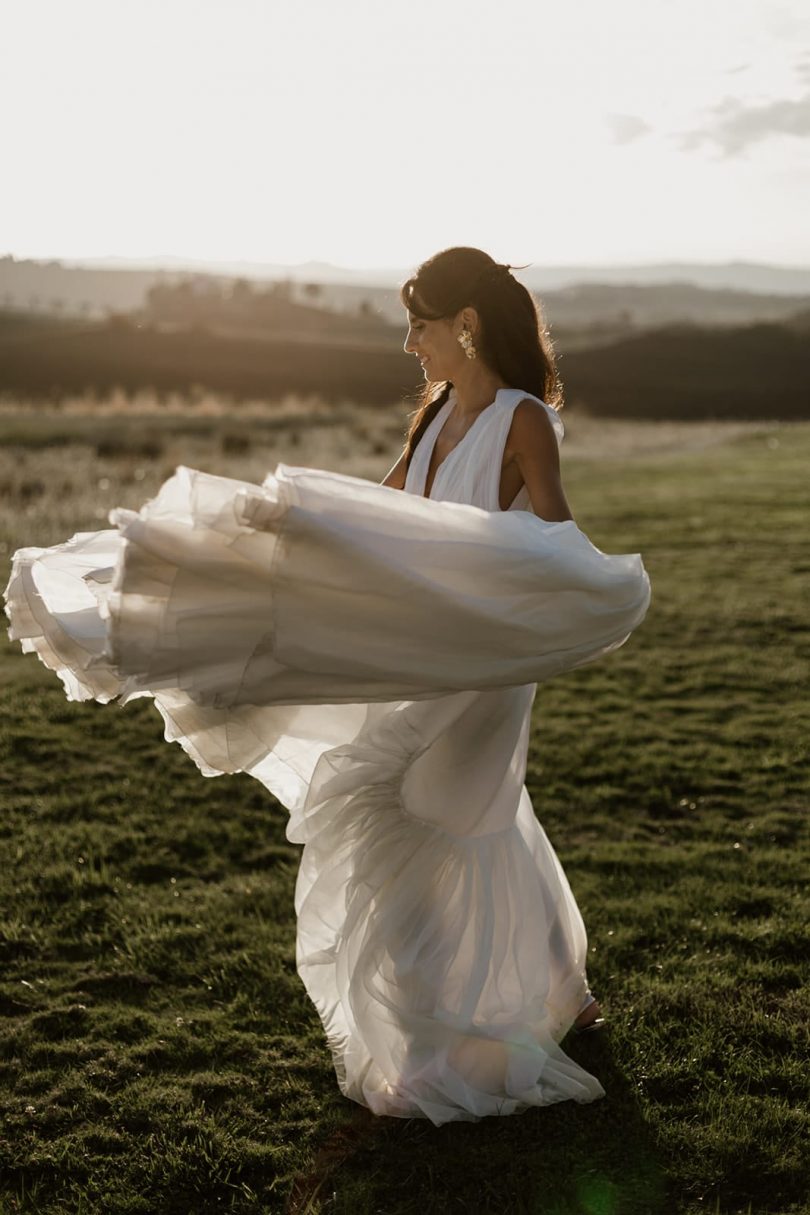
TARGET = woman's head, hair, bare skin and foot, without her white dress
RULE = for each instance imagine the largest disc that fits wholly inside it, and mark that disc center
(463, 298)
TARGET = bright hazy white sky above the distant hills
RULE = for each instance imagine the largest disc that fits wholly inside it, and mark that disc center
(373, 134)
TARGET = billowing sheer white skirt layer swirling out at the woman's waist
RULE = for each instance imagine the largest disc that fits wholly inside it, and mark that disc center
(375, 596)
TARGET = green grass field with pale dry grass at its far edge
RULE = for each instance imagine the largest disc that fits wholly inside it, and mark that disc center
(160, 1054)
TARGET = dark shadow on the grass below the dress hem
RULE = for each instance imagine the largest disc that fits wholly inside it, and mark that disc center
(562, 1160)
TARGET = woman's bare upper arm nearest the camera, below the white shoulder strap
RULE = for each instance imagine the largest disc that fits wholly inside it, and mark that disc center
(533, 445)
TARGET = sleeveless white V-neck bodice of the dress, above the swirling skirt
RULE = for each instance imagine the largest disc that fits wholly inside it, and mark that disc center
(472, 472)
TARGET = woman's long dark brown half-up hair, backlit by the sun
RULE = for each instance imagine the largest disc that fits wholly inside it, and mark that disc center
(513, 340)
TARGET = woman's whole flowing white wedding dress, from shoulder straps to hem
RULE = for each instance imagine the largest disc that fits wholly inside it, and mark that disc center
(372, 658)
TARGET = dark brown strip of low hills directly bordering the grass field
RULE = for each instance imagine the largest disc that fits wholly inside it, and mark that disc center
(683, 371)
